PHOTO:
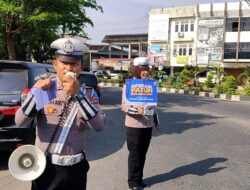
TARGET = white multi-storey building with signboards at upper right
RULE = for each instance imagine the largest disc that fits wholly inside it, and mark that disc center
(202, 34)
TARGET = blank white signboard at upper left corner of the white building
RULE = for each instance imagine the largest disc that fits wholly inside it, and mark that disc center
(158, 27)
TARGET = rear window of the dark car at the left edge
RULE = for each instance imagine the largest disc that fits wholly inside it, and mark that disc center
(13, 81)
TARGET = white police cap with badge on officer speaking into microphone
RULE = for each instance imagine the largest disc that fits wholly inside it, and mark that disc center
(69, 46)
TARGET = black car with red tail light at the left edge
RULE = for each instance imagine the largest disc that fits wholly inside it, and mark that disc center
(16, 79)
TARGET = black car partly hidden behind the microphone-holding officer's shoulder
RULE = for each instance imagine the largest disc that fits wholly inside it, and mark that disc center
(90, 80)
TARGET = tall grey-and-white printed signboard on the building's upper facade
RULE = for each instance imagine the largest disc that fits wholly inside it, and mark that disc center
(210, 40)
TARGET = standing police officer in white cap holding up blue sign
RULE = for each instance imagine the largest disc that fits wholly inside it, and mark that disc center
(138, 129)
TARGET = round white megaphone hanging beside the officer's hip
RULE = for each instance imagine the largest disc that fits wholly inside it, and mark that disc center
(27, 163)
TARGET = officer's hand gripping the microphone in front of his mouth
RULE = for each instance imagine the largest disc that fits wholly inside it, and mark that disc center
(70, 85)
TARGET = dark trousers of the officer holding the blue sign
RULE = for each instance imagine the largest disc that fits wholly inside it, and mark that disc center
(138, 140)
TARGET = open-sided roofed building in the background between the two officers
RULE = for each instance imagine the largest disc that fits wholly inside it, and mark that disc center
(119, 52)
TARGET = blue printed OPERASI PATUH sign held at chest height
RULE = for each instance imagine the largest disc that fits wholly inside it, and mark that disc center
(141, 92)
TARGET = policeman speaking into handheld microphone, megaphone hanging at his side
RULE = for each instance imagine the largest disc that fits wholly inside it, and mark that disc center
(66, 166)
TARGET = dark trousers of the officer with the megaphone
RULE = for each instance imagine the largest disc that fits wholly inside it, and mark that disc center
(57, 177)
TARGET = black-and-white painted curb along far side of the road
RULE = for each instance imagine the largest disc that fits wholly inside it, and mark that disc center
(235, 98)
